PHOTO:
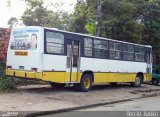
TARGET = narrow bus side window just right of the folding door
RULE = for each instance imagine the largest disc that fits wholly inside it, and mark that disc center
(88, 47)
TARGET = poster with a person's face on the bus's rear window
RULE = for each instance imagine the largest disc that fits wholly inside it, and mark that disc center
(24, 39)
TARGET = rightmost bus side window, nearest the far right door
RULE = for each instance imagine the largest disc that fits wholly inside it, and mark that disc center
(139, 54)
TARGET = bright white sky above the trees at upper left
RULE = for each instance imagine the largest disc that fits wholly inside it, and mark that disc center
(17, 7)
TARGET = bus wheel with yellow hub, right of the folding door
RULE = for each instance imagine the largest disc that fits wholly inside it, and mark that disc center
(86, 83)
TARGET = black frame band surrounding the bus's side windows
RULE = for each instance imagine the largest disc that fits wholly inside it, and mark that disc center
(81, 38)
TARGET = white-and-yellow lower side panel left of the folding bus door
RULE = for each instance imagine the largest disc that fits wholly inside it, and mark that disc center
(54, 68)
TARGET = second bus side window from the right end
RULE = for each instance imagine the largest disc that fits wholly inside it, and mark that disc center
(128, 52)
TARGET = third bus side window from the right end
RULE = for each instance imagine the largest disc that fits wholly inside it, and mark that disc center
(115, 50)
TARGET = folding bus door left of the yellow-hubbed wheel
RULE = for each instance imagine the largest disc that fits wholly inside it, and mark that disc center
(73, 58)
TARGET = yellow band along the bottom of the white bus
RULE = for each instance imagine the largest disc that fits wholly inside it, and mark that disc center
(63, 77)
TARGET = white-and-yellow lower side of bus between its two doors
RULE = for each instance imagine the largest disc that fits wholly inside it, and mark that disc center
(106, 70)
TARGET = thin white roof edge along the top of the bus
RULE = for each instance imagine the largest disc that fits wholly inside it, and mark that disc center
(86, 35)
